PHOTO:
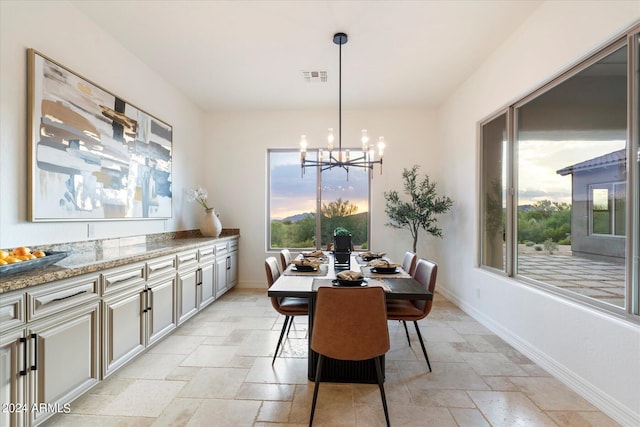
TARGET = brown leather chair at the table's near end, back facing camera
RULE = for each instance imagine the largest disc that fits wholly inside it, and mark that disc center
(350, 324)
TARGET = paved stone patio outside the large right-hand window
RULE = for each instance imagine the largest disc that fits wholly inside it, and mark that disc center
(600, 280)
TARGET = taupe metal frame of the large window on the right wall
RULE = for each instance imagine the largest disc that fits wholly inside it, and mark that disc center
(631, 311)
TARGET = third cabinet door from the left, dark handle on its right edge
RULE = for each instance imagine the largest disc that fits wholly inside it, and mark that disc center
(122, 328)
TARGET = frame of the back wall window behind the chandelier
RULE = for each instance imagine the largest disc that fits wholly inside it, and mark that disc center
(318, 204)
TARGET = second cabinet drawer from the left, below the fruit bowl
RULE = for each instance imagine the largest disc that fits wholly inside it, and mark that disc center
(60, 296)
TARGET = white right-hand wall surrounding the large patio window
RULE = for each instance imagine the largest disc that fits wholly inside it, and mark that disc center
(594, 353)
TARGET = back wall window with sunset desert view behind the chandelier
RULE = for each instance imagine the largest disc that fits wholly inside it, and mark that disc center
(303, 206)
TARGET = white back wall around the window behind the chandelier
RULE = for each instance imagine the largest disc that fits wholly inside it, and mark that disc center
(237, 168)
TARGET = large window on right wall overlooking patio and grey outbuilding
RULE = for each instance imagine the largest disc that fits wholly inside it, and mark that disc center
(555, 178)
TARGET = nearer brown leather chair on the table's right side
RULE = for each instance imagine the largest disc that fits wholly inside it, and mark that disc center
(414, 310)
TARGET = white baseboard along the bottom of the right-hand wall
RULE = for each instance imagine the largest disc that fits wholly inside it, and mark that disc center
(613, 408)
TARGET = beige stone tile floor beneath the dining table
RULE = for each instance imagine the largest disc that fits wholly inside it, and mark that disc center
(215, 370)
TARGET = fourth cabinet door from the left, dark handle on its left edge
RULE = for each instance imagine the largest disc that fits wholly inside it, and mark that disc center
(160, 308)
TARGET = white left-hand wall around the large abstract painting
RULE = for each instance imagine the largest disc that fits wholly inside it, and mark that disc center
(59, 31)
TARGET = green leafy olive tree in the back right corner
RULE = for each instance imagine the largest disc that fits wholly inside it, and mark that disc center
(421, 209)
